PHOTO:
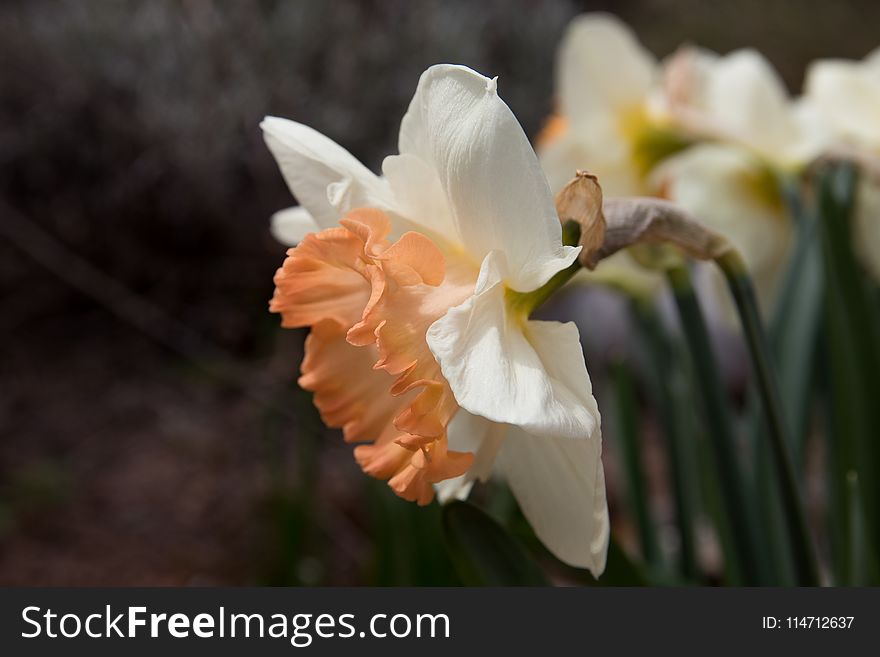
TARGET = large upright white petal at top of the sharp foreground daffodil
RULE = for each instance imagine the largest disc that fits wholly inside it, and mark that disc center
(493, 186)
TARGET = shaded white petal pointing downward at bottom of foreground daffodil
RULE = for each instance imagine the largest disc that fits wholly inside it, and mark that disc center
(560, 487)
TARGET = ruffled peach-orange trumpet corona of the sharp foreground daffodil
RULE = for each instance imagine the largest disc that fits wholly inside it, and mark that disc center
(370, 303)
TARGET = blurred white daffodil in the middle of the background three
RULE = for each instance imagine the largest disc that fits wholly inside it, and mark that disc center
(756, 135)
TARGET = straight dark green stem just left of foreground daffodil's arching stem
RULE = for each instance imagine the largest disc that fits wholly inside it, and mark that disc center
(741, 545)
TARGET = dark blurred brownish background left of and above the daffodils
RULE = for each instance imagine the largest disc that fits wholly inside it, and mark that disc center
(150, 428)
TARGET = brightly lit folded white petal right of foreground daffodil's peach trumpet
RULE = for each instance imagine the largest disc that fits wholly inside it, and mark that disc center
(503, 368)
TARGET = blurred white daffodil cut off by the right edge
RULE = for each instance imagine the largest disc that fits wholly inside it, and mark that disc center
(847, 96)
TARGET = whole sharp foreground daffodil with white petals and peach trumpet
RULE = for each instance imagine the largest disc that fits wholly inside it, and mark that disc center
(416, 286)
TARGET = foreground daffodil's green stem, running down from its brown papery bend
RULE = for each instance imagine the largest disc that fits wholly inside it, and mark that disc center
(740, 284)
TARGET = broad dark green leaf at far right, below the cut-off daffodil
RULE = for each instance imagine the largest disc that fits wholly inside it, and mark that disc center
(853, 361)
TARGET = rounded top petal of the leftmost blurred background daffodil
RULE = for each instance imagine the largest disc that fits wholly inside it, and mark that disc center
(602, 69)
